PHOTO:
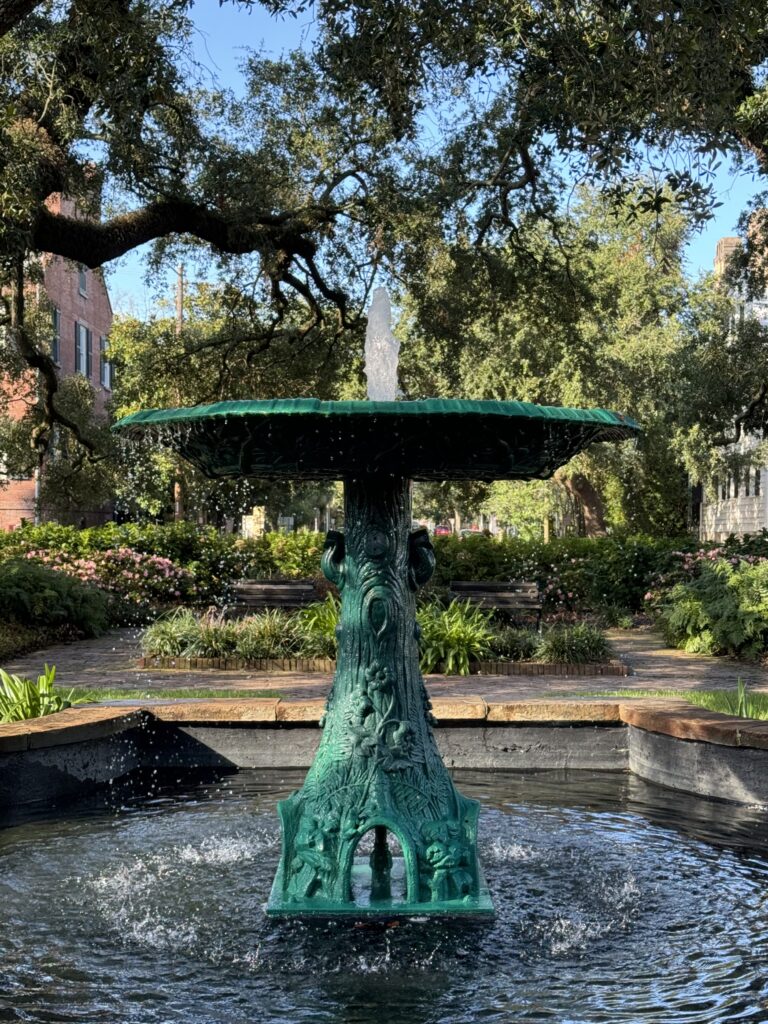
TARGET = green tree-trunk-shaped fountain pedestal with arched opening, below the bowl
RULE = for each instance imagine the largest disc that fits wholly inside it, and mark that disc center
(378, 769)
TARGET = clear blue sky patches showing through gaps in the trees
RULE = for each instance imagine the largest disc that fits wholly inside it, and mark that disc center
(222, 39)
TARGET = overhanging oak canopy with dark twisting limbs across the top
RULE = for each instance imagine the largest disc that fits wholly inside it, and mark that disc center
(407, 133)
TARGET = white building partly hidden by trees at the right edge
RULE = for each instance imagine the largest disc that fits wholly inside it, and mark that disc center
(742, 504)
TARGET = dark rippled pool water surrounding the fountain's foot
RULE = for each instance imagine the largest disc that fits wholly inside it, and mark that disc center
(616, 903)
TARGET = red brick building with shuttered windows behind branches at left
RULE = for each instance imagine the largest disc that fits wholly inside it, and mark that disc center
(81, 321)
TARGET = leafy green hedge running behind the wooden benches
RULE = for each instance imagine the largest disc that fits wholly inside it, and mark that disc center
(574, 574)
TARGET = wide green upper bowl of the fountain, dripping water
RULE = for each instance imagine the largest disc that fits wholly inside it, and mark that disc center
(434, 440)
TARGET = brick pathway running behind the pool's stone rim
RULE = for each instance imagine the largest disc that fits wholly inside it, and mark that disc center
(111, 662)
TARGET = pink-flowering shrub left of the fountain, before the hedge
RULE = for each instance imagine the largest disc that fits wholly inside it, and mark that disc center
(133, 577)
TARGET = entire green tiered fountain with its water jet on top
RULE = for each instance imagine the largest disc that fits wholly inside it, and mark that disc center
(378, 770)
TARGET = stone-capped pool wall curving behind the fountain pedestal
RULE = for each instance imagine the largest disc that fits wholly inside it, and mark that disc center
(667, 742)
